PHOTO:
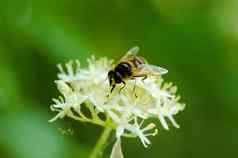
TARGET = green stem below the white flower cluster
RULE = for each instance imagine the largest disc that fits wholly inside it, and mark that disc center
(99, 147)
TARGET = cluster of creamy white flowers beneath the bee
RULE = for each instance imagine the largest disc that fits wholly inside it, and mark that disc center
(126, 110)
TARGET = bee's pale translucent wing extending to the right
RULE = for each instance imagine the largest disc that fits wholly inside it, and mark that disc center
(153, 69)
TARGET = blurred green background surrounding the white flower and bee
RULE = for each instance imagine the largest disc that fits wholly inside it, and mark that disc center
(196, 40)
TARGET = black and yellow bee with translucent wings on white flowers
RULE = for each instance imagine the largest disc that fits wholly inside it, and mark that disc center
(131, 66)
